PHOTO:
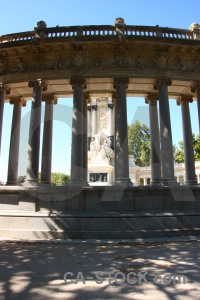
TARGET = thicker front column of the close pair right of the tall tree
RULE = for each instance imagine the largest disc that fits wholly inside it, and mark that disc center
(167, 160)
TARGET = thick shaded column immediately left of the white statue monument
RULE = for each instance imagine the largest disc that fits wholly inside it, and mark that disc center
(77, 165)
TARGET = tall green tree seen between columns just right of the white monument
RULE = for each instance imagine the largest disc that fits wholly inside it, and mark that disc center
(139, 143)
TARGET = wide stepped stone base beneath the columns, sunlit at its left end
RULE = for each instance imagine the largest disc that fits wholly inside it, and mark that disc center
(99, 212)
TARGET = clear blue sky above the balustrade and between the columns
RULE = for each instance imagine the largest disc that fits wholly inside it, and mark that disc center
(23, 15)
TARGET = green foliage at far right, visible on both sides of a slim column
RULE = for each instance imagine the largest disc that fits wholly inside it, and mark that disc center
(179, 151)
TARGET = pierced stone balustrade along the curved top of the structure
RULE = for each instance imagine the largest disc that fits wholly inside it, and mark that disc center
(103, 30)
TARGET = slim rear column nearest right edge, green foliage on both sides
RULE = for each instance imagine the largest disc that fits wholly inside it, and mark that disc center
(190, 177)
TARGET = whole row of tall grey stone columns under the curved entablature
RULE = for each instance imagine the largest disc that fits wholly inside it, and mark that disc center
(162, 165)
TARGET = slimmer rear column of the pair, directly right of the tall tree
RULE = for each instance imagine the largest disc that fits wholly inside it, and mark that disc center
(151, 99)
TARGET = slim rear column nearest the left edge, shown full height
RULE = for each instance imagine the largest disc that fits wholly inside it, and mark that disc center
(13, 160)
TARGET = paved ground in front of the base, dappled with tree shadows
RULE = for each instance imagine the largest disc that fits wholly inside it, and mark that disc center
(30, 270)
